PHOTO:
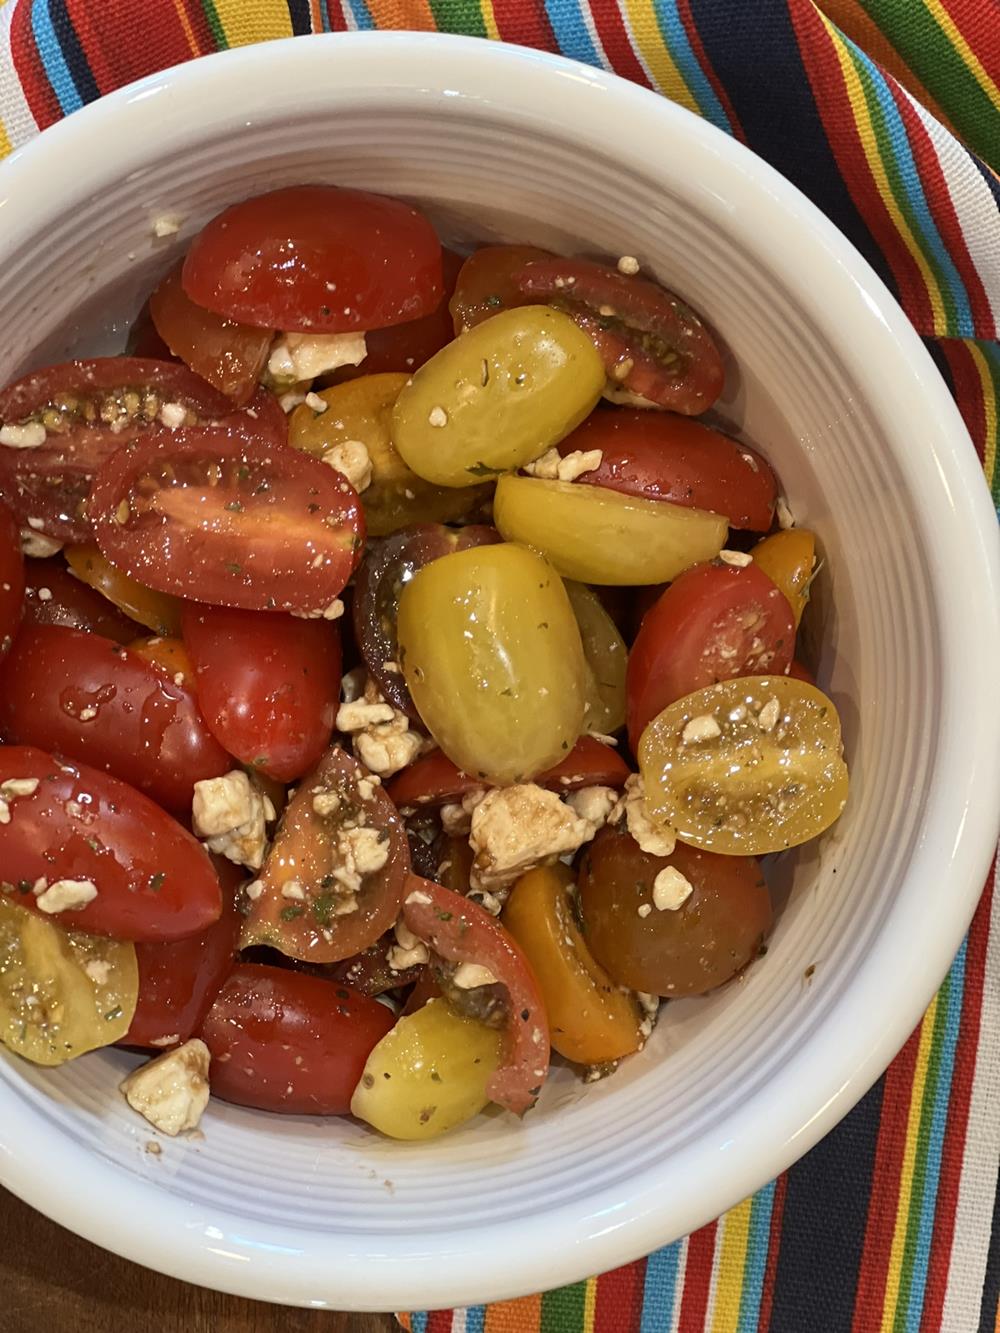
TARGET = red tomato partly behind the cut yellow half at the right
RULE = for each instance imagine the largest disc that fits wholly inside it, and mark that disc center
(714, 623)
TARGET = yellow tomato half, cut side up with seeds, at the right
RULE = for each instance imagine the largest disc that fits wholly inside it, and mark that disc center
(746, 767)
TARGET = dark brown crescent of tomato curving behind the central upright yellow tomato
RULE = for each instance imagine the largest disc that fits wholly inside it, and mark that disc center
(389, 566)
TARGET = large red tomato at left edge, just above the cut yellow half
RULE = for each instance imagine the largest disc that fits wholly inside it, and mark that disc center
(154, 880)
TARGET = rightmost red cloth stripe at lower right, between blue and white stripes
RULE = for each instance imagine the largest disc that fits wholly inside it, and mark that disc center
(959, 1108)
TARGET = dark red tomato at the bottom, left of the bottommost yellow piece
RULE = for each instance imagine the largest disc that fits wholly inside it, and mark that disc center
(289, 1042)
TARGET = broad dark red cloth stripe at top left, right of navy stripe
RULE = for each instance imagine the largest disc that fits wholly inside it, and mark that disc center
(111, 43)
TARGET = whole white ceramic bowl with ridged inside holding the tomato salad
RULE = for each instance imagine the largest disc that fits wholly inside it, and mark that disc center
(826, 377)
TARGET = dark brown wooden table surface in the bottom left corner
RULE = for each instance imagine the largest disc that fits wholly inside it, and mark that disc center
(53, 1280)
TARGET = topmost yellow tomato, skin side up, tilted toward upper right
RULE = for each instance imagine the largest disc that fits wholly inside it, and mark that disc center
(498, 397)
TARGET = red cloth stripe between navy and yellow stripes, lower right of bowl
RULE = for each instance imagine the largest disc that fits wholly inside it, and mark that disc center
(886, 1176)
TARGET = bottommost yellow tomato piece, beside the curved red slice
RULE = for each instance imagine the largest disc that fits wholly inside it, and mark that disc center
(429, 1075)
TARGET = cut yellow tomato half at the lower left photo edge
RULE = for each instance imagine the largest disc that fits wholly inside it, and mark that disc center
(62, 992)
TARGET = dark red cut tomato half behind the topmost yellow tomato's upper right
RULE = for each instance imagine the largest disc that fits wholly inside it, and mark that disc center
(651, 342)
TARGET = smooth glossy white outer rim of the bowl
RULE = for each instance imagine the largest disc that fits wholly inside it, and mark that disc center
(229, 1254)
